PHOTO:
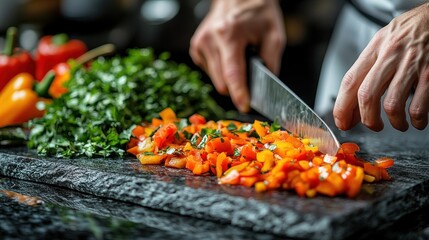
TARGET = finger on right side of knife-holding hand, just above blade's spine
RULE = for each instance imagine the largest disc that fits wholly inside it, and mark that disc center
(272, 50)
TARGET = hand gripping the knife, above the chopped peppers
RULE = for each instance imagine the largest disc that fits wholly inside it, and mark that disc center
(218, 45)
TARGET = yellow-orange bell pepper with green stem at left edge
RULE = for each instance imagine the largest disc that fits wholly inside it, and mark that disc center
(22, 99)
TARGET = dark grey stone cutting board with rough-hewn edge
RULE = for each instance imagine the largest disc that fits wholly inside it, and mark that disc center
(278, 212)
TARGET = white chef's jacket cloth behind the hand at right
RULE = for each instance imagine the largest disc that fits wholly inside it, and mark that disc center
(356, 25)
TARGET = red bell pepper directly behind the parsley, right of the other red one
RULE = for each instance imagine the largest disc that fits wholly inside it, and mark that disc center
(54, 49)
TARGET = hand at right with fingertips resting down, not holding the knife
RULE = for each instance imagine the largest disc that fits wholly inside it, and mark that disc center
(394, 62)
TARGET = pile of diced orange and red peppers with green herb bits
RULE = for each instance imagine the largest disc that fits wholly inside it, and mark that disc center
(255, 154)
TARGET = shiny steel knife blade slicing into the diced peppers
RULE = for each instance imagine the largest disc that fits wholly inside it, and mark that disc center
(273, 99)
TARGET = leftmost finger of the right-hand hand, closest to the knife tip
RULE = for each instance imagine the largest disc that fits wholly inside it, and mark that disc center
(346, 103)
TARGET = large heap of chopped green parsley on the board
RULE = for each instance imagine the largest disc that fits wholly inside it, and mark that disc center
(105, 101)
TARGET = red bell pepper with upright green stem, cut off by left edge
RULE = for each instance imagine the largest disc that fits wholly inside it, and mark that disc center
(14, 60)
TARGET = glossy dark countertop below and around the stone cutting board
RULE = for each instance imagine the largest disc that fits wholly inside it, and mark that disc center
(68, 214)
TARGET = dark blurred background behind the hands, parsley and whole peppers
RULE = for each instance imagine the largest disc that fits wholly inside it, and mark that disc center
(168, 25)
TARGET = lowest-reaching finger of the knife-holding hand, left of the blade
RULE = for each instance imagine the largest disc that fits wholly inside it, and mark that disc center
(232, 59)
